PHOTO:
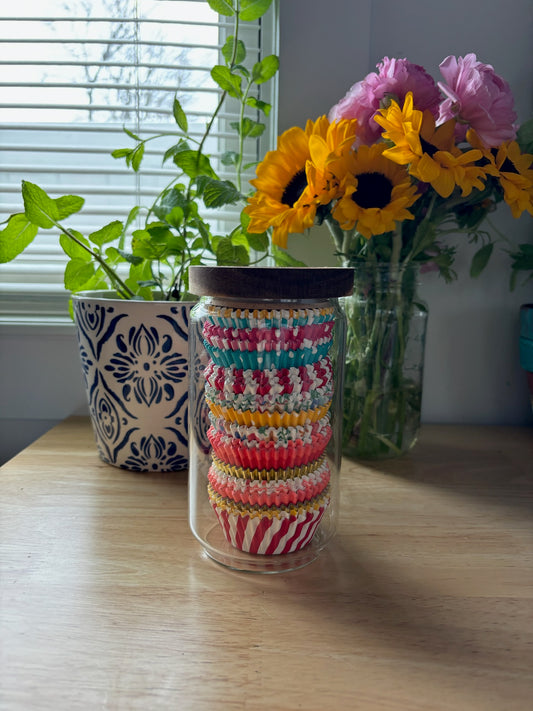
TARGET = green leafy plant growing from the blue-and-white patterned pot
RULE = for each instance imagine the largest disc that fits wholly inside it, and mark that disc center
(150, 258)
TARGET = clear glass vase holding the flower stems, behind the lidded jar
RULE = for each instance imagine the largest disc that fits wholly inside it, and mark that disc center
(386, 332)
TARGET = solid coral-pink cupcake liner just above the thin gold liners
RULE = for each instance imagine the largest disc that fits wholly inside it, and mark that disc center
(267, 455)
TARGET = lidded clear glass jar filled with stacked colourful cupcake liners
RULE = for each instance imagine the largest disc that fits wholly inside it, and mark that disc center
(266, 354)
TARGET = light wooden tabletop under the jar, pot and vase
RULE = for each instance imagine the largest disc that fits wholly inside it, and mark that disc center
(423, 601)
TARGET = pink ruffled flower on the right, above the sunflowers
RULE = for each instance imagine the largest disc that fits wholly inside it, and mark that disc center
(479, 99)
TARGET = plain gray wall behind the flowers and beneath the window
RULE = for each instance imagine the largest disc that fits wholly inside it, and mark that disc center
(472, 371)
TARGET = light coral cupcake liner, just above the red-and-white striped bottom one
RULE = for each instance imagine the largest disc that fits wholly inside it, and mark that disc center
(281, 492)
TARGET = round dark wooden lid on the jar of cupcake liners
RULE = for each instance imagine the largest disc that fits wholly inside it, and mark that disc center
(271, 282)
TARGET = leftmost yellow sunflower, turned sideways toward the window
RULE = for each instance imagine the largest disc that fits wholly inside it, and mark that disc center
(282, 199)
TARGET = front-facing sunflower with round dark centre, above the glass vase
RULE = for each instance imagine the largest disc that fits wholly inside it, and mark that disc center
(377, 193)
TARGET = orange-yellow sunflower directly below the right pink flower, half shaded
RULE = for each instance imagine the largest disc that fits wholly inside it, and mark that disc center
(429, 151)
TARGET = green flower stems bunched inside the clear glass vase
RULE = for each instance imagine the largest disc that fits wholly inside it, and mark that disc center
(377, 393)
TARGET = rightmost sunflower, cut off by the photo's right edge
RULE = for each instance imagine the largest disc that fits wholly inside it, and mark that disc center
(513, 169)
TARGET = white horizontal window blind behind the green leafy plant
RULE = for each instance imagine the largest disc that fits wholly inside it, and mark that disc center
(74, 73)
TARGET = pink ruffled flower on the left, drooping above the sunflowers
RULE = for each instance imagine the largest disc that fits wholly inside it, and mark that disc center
(395, 77)
